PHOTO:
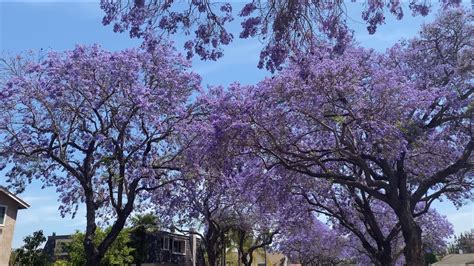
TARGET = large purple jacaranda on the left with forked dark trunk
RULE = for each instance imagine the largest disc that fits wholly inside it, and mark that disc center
(102, 127)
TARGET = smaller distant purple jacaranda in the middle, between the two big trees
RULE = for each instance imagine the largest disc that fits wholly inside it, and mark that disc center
(216, 193)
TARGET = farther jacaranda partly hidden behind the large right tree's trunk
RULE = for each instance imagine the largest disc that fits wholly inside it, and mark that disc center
(374, 230)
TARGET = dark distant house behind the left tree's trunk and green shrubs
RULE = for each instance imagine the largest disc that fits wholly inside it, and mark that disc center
(164, 249)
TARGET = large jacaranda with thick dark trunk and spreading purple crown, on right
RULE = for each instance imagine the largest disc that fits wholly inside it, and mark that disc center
(395, 126)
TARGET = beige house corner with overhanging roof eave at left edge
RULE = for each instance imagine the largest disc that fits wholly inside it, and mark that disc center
(9, 206)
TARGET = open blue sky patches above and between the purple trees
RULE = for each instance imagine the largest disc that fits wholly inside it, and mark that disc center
(59, 25)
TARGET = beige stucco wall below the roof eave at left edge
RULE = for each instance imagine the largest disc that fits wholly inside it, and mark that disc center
(6, 236)
